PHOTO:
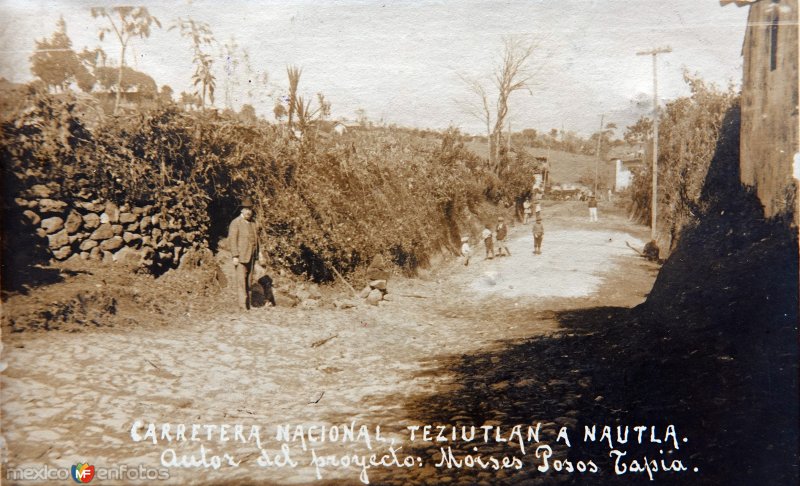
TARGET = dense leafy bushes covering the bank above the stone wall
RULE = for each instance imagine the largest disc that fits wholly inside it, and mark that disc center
(323, 201)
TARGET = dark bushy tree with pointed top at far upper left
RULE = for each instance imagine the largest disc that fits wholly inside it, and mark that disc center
(56, 64)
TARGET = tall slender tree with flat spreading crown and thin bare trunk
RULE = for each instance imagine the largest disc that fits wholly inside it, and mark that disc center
(126, 23)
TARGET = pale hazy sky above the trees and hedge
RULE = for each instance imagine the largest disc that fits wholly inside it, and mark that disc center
(404, 62)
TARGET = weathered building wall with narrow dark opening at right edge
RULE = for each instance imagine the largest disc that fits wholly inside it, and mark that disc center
(770, 135)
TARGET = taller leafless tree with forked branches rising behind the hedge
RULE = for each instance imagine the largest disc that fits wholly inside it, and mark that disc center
(513, 74)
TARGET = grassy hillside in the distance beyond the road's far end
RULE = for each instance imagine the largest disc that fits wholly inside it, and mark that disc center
(564, 166)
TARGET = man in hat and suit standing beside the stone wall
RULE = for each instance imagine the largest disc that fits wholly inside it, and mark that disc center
(243, 243)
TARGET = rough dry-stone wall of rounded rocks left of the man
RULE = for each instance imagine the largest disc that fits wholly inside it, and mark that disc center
(93, 229)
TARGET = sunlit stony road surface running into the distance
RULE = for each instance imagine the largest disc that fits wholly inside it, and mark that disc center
(89, 397)
